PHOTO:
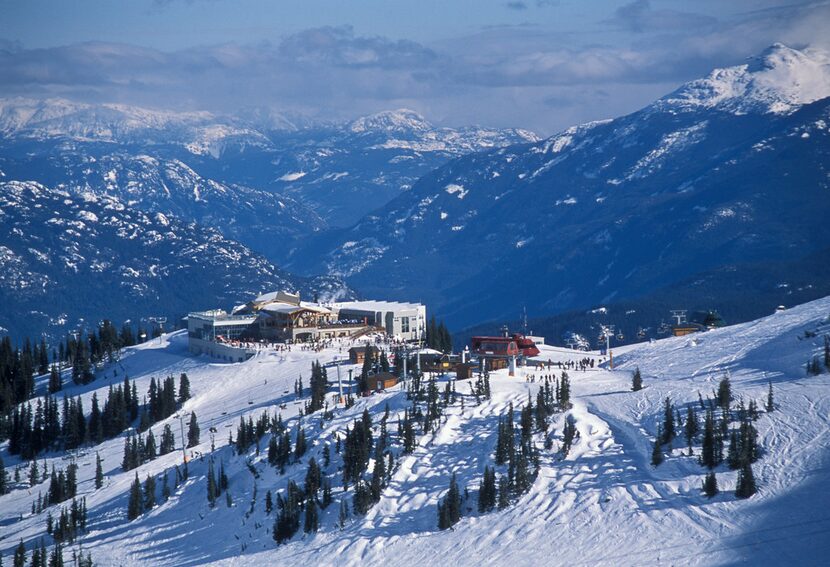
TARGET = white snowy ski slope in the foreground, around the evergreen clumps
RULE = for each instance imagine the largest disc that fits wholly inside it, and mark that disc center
(603, 504)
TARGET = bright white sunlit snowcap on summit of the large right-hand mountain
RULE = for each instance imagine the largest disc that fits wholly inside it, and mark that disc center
(779, 80)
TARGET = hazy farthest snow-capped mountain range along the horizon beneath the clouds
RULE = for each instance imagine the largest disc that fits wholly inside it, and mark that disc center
(339, 170)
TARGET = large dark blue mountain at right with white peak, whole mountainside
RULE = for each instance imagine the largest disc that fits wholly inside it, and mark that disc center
(725, 172)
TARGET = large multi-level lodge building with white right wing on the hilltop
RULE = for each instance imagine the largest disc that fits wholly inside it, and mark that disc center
(281, 317)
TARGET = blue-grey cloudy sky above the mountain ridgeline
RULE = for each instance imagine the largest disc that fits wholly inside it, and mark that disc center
(537, 64)
